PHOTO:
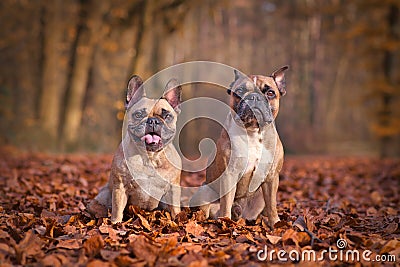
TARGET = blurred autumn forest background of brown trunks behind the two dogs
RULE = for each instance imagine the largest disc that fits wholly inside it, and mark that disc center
(64, 67)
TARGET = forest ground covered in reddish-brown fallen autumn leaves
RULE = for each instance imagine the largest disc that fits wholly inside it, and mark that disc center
(43, 221)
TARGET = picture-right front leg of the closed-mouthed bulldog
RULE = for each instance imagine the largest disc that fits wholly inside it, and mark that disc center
(270, 188)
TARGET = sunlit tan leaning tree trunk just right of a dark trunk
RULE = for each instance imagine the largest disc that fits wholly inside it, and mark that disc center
(86, 41)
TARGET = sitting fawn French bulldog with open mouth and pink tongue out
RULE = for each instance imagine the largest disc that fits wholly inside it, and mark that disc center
(146, 167)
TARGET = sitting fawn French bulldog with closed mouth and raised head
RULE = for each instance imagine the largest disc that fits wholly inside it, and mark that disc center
(248, 171)
